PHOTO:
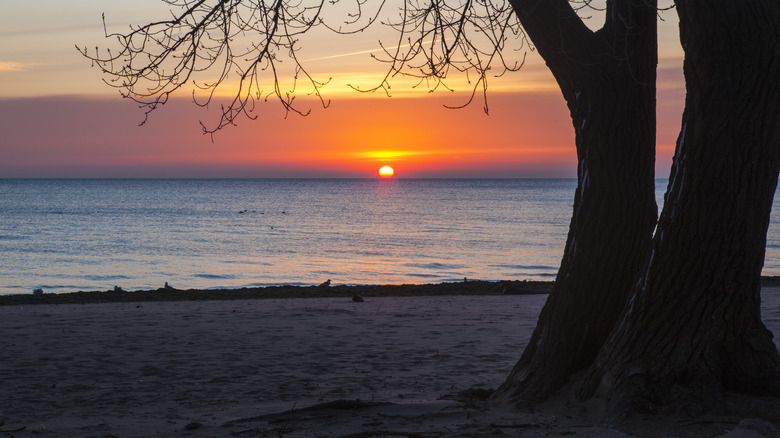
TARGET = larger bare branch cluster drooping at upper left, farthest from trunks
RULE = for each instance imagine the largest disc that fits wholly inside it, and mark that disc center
(236, 45)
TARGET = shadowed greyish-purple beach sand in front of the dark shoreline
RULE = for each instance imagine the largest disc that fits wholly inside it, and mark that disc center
(232, 368)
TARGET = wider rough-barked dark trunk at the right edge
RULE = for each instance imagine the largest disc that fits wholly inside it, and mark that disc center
(694, 329)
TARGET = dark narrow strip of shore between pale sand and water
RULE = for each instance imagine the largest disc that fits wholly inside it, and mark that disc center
(471, 287)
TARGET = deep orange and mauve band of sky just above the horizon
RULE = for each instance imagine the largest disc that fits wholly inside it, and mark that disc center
(525, 135)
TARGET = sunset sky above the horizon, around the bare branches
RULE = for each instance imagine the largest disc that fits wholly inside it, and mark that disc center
(59, 119)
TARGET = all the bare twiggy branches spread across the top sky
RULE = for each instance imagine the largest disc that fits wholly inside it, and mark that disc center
(239, 52)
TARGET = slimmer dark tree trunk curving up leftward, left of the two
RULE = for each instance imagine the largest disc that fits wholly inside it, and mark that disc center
(608, 81)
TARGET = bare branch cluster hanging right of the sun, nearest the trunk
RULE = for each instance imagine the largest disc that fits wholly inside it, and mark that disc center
(438, 39)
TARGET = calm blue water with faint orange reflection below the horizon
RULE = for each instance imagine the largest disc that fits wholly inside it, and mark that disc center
(67, 235)
